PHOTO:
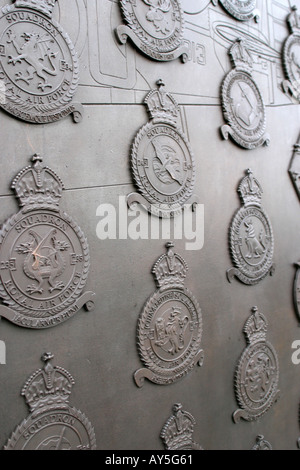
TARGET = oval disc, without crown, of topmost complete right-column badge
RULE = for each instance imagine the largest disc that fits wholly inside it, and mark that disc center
(244, 109)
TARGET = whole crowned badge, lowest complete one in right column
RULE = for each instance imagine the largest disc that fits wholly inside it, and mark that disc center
(257, 373)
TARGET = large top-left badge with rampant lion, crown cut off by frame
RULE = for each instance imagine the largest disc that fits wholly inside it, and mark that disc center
(39, 69)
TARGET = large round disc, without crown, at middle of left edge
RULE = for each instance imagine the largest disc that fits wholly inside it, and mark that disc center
(44, 263)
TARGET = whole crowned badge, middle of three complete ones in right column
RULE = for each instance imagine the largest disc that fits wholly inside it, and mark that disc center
(251, 236)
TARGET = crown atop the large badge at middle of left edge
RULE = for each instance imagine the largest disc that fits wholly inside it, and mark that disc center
(38, 187)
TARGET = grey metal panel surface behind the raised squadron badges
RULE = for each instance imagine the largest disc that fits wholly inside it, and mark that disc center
(92, 158)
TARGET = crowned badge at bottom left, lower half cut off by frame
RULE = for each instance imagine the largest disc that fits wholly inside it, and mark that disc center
(52, 424)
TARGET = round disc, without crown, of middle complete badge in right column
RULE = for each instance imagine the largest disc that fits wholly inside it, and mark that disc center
(252, 244)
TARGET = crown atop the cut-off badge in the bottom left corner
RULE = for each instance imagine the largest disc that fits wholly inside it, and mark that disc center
(50, 386)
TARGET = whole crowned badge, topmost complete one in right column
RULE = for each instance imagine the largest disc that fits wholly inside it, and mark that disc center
(242, 102)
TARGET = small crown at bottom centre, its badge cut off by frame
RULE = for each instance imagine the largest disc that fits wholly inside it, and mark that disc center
(177, 433)
